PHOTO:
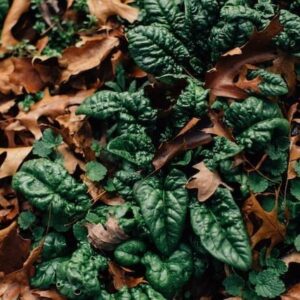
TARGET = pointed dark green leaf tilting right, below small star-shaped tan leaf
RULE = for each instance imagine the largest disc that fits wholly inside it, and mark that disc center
(219, 224)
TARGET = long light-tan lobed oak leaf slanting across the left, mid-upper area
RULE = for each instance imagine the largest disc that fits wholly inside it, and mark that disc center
(50, 106)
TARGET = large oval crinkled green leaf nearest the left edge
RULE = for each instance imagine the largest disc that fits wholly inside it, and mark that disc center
(48, 186)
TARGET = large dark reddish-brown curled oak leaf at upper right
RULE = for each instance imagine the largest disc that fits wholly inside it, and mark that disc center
(221, 79)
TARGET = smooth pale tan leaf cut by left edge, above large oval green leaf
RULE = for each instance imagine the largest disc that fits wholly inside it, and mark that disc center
(14, 158)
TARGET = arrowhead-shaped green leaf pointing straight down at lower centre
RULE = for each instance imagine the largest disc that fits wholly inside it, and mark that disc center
(164, 203)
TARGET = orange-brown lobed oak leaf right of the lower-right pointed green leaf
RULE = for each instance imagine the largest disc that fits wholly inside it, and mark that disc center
(270, 229)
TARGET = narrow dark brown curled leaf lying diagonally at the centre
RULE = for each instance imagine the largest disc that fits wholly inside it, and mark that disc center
(189, 137)
